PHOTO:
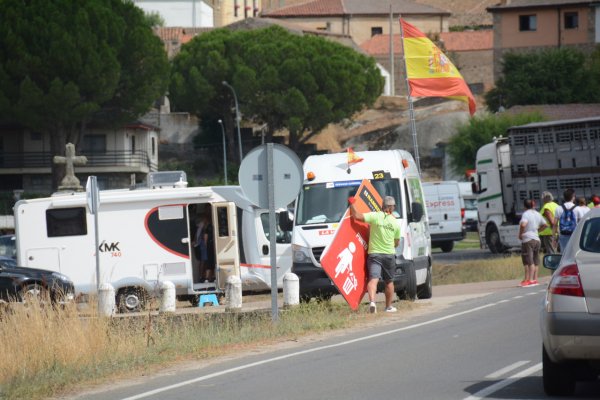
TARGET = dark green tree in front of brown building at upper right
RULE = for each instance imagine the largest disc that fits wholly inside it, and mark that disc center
(556, 76)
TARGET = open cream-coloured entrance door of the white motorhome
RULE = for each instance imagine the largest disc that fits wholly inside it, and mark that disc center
(226, 247)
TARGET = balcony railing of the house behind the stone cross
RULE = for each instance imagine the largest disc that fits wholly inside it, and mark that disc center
(39, 159)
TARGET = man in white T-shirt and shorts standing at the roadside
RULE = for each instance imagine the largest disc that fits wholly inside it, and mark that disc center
(531, 223)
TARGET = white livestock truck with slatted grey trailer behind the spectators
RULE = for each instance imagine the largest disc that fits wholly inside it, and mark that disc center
(536, 157)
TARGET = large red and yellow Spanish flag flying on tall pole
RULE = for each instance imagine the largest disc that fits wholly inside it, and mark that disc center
(430, 73)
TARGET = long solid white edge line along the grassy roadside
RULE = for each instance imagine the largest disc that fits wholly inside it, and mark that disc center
(308, 351)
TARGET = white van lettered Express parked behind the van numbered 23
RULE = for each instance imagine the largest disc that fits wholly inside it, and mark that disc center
(446, 212)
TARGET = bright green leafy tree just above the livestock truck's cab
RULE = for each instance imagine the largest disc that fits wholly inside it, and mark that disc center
(481, 130)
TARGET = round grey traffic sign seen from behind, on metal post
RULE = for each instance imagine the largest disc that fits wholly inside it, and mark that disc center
(271, 176)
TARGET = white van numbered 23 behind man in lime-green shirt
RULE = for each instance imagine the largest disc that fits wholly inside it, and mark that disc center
(323, 199)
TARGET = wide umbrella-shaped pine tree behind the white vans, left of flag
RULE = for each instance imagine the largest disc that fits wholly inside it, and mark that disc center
(287, 81)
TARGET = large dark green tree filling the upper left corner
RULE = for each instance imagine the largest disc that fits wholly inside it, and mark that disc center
(65, 63)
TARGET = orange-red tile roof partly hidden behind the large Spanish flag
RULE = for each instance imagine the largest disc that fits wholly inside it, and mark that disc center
(453, 41)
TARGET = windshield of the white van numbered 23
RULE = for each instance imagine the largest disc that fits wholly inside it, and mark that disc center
(322, 203)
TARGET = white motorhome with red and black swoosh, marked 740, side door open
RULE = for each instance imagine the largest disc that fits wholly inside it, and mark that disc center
(146, 236)
